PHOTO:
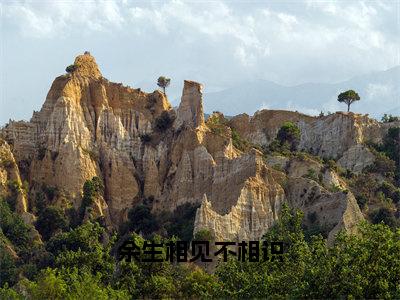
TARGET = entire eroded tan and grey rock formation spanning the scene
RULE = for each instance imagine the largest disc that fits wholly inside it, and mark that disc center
(141, 148)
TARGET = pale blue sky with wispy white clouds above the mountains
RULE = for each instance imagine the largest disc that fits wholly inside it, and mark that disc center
(218, 43)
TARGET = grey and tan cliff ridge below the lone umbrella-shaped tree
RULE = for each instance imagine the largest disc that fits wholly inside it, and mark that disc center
(339, 136)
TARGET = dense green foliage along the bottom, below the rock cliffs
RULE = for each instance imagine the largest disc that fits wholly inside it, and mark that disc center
(366, 265)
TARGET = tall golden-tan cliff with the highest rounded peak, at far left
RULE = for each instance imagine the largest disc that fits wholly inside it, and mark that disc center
(88, 127)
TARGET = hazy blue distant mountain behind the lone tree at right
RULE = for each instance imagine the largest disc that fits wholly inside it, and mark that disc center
(379, 92)
